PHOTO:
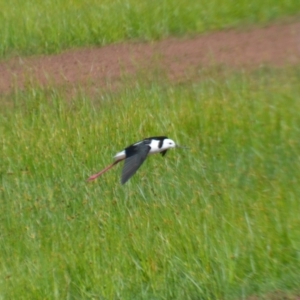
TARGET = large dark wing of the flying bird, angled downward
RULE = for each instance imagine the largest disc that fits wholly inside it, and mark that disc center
(134, 161)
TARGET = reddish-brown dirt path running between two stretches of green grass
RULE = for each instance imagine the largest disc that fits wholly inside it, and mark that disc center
(277, 45)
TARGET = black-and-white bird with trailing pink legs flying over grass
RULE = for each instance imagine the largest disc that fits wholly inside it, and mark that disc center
(135, 154)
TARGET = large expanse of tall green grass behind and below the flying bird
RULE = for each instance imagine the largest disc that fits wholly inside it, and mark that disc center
(217, 221)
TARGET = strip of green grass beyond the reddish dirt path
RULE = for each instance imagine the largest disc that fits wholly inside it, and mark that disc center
(35, 27)
